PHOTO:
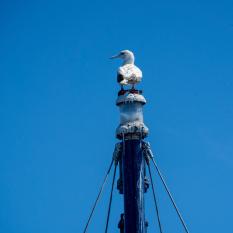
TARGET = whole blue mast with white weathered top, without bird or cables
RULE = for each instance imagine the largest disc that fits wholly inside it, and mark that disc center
(132, 182)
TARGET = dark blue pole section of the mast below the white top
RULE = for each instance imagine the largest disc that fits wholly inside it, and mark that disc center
(133, 166)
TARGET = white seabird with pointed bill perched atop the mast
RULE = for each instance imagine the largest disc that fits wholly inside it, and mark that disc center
(128, 73)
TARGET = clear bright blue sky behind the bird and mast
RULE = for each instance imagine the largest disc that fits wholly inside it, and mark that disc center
(58, 113)
